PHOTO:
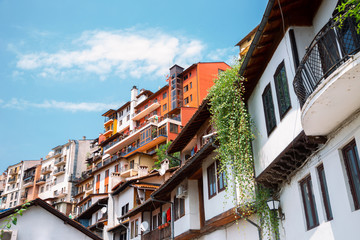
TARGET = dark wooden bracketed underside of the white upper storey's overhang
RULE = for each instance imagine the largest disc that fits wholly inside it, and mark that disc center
(289, 160)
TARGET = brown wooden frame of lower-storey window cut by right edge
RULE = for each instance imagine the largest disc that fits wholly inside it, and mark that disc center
(349, 146)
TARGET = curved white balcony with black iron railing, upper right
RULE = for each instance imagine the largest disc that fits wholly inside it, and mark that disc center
(326, 80)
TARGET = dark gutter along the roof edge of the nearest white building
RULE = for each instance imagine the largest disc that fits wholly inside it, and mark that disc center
(257, 36)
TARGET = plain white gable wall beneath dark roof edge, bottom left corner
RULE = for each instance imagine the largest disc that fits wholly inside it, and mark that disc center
(31, 226)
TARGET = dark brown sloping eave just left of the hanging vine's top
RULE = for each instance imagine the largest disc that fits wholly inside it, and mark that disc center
(191, 128)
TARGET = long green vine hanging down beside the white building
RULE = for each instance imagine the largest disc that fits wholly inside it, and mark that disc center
(233, 125)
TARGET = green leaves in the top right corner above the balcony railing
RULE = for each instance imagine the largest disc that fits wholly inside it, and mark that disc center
(349, 8)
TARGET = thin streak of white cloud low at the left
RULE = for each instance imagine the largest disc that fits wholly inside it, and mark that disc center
(21, 104)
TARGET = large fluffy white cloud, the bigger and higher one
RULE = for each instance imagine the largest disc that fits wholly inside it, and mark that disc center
(125, 53)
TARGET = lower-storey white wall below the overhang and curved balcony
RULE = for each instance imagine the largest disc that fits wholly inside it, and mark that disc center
(345, 222)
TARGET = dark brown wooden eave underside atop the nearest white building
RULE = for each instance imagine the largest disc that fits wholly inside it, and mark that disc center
(294, 13)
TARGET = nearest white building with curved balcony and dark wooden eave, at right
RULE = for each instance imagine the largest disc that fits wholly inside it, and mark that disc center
(302, 94)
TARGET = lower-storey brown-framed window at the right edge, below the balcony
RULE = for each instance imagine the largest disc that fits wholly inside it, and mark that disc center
(352, 164)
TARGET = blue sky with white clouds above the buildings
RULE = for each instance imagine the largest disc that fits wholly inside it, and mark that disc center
(64, 63)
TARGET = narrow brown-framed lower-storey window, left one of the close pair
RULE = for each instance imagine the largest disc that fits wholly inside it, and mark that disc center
(309, 203)
